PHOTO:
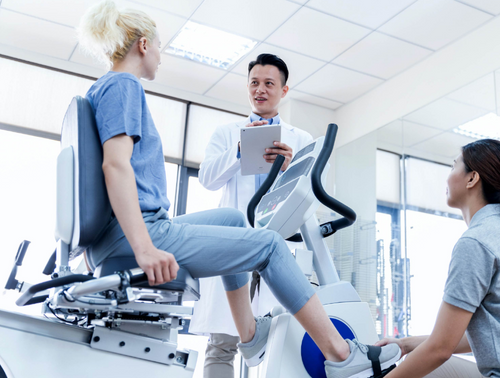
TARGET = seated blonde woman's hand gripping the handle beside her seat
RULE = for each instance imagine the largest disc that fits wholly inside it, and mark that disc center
(159, 266)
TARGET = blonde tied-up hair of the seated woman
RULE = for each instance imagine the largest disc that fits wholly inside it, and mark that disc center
(107, 33)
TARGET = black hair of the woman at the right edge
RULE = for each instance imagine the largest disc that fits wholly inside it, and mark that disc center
(483, 157)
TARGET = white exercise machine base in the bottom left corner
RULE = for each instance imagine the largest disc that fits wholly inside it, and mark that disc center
(35, 347)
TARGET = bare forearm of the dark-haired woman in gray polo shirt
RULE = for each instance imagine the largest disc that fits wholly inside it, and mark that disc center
(445, 339)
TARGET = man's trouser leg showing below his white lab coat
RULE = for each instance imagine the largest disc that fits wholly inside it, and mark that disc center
(219, 356)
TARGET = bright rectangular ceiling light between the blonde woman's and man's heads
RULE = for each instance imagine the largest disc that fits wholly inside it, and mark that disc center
(210, 46)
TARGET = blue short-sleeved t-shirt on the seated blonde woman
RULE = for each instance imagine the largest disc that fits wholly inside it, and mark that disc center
(120, 107)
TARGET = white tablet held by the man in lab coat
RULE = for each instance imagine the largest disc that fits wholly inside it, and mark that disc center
(253, 144)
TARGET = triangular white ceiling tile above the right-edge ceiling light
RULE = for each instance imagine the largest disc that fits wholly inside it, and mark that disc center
(480, 93)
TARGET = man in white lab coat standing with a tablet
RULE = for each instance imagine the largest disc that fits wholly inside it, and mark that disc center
(267, 77)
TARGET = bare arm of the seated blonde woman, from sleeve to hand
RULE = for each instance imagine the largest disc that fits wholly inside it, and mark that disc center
(159, 266)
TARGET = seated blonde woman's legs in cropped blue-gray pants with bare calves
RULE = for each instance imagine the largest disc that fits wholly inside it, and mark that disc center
(231, 252)
